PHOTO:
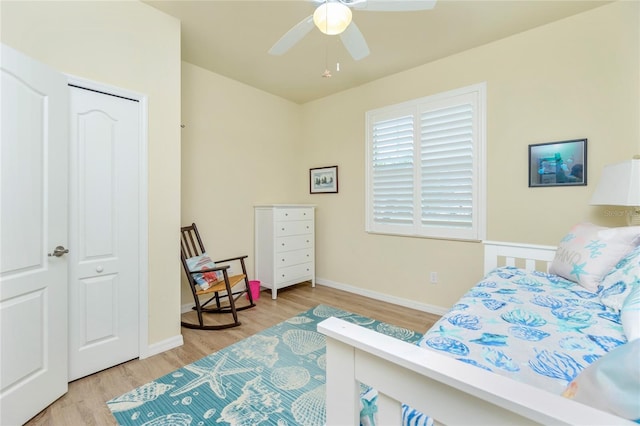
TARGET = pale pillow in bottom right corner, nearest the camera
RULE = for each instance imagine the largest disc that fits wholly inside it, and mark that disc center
(612, 383)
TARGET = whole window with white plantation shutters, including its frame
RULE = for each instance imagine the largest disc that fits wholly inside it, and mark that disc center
(426, 166)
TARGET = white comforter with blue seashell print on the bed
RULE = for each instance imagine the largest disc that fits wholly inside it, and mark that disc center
(534, 327)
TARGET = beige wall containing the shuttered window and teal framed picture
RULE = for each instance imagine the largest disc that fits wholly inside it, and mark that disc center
(576, 78)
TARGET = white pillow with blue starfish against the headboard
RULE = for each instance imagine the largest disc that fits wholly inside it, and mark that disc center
(588, 252)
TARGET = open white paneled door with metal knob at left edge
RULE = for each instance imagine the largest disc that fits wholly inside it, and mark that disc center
(33, 220)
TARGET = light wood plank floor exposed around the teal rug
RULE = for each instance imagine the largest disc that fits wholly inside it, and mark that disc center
(84, 404)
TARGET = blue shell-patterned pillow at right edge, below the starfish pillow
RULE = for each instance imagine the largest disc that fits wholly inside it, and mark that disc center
(617, 284)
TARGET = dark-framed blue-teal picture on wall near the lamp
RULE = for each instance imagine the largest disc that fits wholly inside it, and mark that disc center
(561, 163)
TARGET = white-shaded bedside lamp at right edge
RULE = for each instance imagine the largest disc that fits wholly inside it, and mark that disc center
(619, 185)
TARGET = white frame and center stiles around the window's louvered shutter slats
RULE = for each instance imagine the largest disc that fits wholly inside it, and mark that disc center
(476, 96)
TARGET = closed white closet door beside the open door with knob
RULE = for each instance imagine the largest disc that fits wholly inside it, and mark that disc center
(104, 221)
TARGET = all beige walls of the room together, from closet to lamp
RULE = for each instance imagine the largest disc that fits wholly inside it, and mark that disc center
(575, 78)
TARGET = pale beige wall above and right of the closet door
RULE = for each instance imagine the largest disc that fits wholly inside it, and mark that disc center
(135, 47)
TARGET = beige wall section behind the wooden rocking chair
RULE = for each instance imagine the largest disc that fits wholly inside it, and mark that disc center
(240, 147)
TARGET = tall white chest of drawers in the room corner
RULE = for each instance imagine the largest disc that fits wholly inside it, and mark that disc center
(284, 245)
